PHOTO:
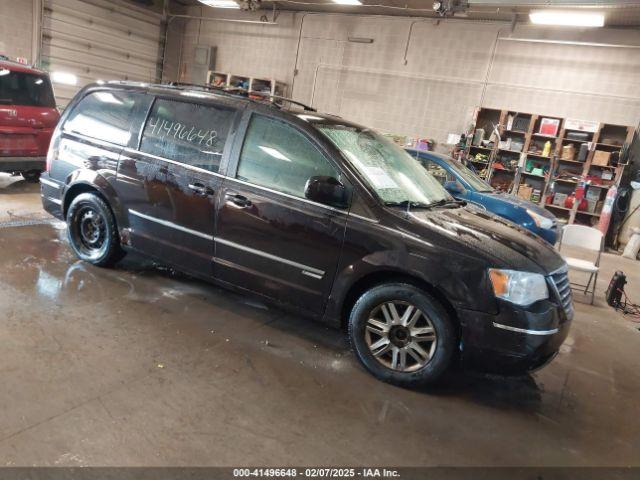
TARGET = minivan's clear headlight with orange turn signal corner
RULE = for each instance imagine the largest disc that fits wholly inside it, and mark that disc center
(521, 288)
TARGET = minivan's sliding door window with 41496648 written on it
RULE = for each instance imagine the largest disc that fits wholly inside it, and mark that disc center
(188, 133)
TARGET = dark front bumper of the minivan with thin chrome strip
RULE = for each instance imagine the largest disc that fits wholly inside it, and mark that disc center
(516, 340)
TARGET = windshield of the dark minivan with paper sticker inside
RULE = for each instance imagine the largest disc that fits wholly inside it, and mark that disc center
(397, 178)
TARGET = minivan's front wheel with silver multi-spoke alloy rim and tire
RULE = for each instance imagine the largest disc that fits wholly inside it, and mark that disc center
(427, 325)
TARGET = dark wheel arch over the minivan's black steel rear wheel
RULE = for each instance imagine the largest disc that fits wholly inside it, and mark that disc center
(93, 180)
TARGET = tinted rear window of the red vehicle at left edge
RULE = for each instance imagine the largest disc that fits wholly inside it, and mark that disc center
(25, 89)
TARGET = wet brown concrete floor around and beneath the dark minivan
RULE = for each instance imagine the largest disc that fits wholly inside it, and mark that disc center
(140, 366)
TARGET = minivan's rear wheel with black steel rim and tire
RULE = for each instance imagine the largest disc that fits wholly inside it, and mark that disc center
(92, 231)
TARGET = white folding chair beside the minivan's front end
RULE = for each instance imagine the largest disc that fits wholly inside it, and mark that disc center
(586, 238)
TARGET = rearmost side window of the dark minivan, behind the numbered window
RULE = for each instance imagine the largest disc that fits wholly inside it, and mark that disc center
(104, 116)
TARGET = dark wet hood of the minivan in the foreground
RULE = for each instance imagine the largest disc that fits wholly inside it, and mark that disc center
(482, 234)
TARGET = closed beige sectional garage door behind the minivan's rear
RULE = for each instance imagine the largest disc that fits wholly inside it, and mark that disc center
(92, 40)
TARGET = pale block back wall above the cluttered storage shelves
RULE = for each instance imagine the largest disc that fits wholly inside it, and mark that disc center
(450, 68)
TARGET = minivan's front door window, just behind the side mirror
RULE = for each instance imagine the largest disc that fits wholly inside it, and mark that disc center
(278, 156)
